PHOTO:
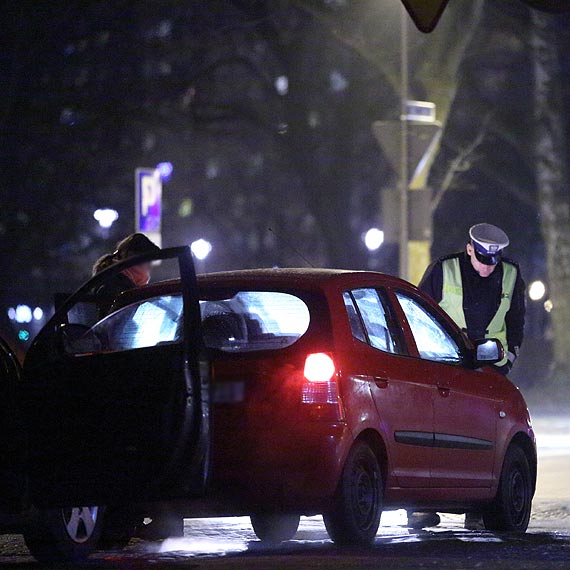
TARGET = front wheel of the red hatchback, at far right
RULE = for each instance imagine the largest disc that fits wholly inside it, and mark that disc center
(511, 508)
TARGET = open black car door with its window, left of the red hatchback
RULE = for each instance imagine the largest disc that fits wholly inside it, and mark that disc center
(115, 394)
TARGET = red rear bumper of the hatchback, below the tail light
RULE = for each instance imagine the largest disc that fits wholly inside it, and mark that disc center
(293, 469)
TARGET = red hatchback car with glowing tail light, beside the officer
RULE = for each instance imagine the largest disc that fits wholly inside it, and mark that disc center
(342, 392)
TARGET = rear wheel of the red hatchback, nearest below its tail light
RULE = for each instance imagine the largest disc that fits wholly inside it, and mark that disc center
(357, 505)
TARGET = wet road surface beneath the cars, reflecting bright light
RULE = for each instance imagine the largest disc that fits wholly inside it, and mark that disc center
(229, 543)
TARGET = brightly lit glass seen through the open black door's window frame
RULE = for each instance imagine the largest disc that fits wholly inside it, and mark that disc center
(147, 323)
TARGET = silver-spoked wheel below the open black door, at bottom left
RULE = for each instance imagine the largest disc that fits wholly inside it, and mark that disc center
(64, 535)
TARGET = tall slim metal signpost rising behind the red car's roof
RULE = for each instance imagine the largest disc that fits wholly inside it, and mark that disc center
(404, 177)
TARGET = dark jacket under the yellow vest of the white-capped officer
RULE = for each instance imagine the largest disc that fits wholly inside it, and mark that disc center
(481, 297)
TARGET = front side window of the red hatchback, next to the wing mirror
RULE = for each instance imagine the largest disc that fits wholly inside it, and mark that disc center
(432, 340)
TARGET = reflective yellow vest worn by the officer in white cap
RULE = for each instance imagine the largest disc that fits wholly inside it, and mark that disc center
(452, 300)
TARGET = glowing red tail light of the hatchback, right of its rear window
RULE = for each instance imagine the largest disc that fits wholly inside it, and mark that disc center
(320, 387)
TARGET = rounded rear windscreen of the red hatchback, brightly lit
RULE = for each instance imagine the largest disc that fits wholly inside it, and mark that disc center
(254, 320)
